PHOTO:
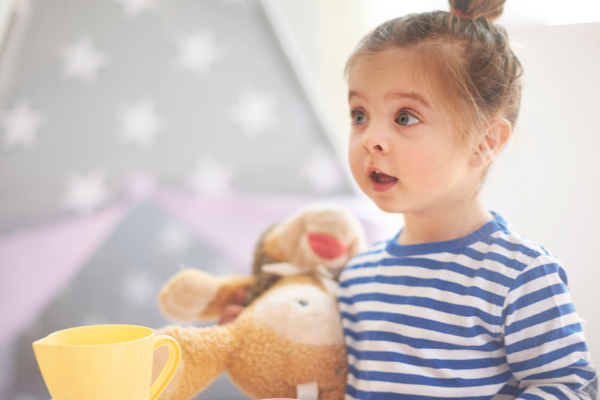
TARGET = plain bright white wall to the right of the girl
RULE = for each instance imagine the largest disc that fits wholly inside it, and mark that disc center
(547, 182)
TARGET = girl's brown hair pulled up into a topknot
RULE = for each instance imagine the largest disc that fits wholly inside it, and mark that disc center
(467, 53)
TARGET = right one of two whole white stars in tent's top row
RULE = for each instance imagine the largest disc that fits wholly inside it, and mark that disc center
(197, 52)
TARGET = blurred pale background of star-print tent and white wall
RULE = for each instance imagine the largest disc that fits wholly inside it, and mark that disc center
(140, 136)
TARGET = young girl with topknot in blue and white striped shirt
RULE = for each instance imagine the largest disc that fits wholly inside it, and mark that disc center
(457, 305)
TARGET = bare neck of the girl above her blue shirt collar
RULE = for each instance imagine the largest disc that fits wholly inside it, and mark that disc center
(443, 225)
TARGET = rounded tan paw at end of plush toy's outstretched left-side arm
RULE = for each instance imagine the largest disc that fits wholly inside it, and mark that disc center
(186, 296)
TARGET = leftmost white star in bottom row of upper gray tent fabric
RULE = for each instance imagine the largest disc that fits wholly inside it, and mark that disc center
(85, 192)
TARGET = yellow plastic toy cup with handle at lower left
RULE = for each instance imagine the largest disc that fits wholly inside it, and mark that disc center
(101, 362)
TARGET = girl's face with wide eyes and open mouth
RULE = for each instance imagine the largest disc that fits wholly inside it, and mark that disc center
(403, 152)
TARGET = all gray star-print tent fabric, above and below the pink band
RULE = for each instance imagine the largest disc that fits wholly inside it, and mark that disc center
(194, 93)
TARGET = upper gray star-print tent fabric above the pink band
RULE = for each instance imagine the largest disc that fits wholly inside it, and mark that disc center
(185, 88)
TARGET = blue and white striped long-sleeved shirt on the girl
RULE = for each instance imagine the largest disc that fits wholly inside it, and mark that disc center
(484, 316)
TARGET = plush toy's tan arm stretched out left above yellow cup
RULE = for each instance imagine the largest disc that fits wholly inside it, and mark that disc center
(193, 295)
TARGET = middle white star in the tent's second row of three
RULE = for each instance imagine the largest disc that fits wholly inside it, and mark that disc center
(140, 122)
